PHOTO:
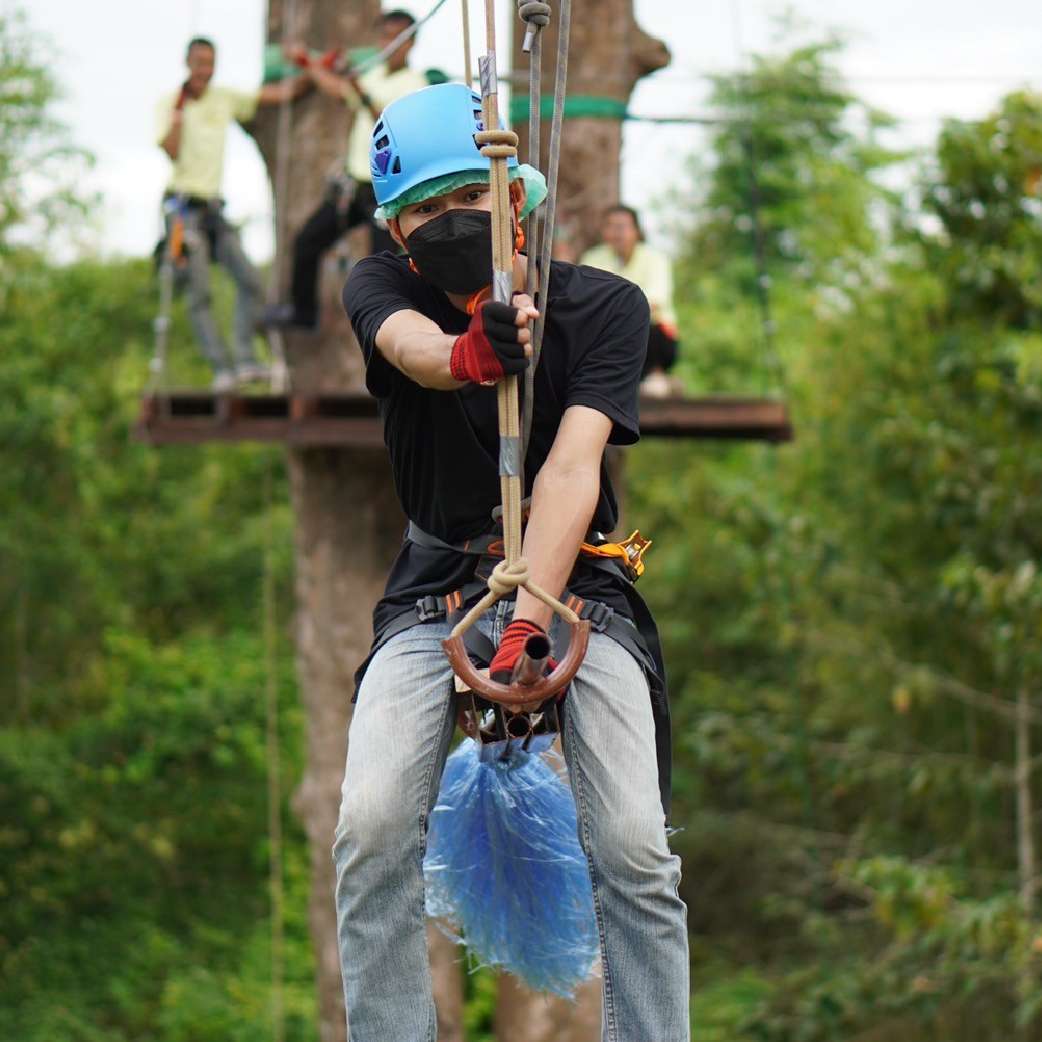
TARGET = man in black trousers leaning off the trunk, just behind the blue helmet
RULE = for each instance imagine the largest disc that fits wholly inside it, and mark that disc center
(351, 201)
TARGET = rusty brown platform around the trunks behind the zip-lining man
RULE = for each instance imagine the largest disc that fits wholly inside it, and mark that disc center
(353, 419)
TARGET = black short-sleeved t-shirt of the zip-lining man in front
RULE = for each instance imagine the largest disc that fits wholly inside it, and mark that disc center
(444, 445)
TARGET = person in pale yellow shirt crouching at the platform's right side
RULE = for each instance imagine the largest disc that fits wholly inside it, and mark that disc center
(625, 253)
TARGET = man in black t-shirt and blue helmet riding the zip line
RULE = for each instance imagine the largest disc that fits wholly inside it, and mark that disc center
(434, 344)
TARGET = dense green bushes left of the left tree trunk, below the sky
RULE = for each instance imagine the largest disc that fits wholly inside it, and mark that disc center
(134, 849)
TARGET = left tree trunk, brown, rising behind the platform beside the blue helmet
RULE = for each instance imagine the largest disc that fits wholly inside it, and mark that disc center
(349, 523)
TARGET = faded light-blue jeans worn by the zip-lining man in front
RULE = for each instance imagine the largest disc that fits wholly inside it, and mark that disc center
(400, 739)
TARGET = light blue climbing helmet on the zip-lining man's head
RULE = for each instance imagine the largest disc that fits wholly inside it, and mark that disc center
(428, 135)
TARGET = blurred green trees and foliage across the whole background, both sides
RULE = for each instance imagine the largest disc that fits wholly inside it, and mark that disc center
(852, 622)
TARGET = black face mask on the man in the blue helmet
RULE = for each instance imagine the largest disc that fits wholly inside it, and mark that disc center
(454, 252)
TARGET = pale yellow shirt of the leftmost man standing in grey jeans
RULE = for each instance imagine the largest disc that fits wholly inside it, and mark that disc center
(200, 167)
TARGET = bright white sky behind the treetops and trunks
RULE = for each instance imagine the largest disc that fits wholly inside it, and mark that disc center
(919, 60)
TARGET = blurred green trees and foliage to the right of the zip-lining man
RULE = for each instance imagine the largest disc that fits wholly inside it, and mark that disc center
(852, 619)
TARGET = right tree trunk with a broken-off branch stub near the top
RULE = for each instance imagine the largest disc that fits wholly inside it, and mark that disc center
(608, 56)
